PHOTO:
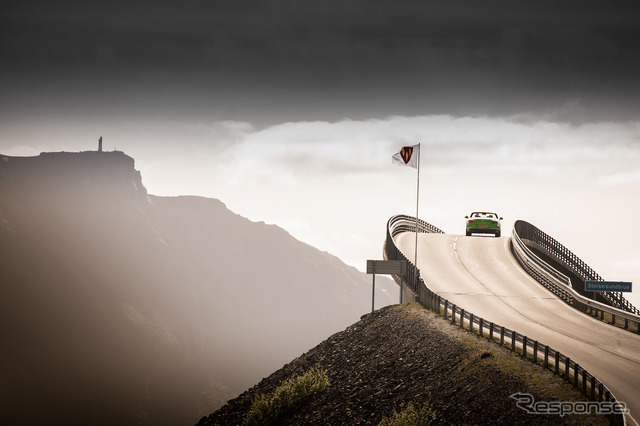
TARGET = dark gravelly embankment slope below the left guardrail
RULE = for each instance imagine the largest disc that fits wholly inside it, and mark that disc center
(404, 355)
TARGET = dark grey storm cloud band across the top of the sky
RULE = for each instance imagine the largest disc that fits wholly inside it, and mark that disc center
(405, 57)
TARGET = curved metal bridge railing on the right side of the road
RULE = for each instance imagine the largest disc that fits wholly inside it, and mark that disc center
(525, 236)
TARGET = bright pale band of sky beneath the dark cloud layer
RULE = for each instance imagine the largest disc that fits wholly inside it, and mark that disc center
(332, 184)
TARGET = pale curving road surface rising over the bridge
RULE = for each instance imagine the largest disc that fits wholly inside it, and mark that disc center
(481, 275)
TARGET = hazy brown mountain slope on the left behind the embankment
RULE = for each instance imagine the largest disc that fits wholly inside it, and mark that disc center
(120, 307)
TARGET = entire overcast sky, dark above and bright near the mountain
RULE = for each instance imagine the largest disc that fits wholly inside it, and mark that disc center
(290, 111)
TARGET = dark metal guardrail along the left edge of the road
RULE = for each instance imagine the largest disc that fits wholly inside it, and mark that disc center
(531, 349)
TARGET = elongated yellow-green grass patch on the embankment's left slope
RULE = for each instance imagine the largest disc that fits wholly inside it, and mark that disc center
(266, 409)
